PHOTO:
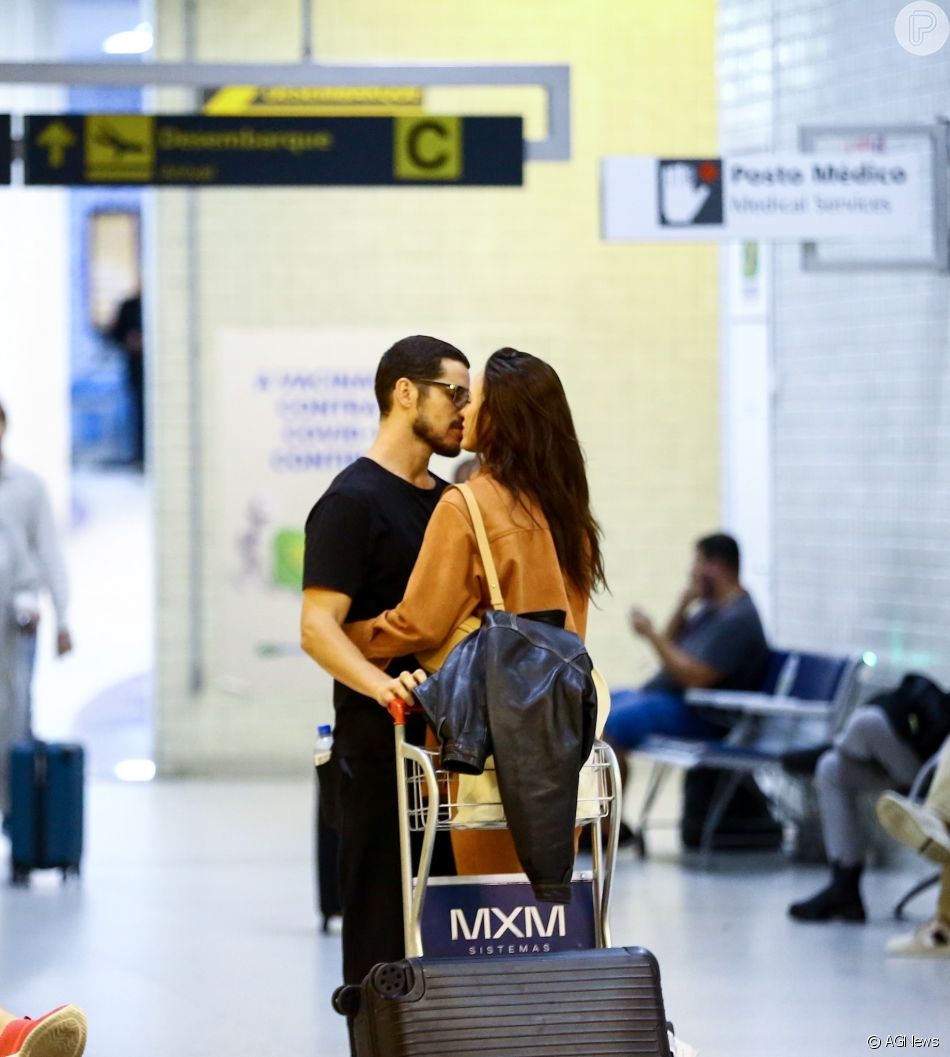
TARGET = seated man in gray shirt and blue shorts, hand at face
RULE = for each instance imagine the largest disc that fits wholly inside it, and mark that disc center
(715, 639)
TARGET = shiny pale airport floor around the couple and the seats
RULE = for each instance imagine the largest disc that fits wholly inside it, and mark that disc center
(193, 933)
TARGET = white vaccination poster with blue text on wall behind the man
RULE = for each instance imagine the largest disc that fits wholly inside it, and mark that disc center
(288, 412)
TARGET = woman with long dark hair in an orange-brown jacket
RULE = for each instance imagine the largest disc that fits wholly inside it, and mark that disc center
(532, 491)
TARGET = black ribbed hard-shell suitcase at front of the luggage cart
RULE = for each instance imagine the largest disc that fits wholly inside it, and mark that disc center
(584, 1004)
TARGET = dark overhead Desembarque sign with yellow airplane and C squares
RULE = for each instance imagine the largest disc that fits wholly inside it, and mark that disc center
(193, 151)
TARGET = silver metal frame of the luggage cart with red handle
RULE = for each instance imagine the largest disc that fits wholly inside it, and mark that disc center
(429, 803)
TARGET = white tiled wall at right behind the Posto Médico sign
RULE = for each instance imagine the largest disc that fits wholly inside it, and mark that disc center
(862, 414)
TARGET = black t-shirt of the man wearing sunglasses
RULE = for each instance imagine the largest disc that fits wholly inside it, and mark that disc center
(363, 539)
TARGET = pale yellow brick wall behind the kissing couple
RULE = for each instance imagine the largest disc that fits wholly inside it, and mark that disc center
(634, 330)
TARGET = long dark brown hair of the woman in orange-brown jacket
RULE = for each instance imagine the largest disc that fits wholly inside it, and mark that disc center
(527, 436)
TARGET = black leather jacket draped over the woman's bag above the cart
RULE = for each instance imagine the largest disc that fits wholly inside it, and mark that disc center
(521, 690)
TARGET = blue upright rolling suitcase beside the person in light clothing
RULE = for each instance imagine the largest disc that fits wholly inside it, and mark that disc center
(46, 794)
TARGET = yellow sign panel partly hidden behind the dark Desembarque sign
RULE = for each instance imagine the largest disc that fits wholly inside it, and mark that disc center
(312, 101)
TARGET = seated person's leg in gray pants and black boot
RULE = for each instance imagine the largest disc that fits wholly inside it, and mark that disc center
(868, 757)
